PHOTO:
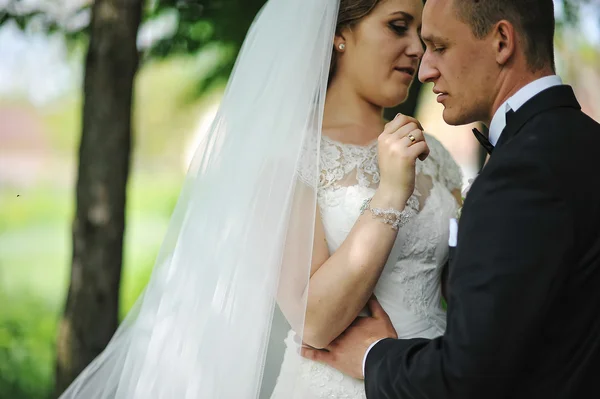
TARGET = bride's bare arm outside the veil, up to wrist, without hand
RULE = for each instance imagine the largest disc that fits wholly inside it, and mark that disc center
(341, 284)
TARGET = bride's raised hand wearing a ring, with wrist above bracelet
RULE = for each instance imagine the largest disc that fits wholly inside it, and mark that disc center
(400, 145)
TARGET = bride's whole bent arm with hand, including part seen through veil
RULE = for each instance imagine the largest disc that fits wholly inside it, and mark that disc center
(341, 284)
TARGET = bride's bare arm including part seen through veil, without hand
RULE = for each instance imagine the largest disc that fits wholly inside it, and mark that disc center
(325, 302)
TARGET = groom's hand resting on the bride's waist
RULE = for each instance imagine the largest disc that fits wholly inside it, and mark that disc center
(347, 352)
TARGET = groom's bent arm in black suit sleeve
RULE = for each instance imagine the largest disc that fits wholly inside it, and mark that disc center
(515, 235)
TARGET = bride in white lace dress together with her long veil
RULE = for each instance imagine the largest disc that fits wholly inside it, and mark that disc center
(295, 202)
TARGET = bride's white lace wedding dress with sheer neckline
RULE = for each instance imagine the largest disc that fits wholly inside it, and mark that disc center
(409, 287)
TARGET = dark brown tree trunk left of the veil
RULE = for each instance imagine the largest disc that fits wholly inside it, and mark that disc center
(91, 313)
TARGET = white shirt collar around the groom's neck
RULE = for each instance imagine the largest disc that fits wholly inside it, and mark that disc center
(517, 100)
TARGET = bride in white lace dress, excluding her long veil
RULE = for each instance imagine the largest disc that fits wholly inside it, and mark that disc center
(355, 254)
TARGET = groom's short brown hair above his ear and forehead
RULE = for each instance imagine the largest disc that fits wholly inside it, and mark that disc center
(533, 19)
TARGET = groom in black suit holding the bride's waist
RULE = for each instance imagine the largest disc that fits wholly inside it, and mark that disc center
(524, 284)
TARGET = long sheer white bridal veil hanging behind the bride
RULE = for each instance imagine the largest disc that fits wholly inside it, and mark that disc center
(238, 248)
